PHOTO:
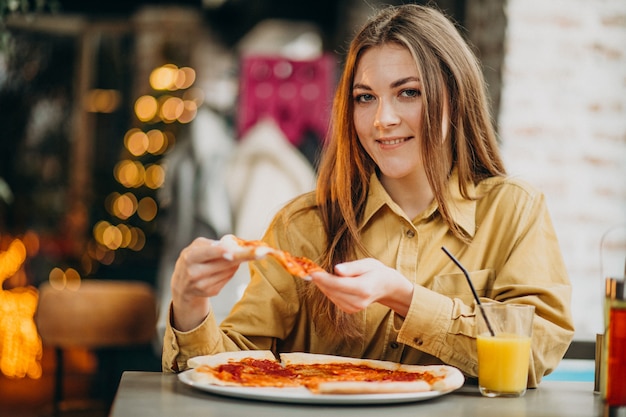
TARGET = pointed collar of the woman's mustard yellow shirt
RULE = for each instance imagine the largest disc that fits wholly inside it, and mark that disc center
(462, 211)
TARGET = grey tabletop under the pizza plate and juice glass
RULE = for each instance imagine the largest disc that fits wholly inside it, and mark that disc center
(155, 394)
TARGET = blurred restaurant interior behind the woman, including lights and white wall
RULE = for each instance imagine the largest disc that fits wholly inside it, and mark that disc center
(128, 128)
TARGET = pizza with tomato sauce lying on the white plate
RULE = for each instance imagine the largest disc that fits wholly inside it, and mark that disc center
(322, 374)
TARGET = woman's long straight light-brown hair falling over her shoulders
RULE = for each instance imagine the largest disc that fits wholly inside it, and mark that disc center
(450, 76)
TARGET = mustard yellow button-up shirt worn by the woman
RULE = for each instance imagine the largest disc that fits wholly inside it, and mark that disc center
(513, 257)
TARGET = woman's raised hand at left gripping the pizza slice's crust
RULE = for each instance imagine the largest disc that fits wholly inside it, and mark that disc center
(200, 272)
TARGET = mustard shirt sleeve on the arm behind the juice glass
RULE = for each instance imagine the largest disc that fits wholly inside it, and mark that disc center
(528, 269)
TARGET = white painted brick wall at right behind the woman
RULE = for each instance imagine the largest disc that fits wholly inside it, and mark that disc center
(563, 127)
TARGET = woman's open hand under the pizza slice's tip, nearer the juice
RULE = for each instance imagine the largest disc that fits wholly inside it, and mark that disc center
(357, 284)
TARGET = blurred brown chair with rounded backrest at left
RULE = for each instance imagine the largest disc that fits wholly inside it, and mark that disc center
(99, 314)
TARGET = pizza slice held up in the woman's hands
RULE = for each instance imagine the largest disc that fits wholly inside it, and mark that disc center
(249, 250)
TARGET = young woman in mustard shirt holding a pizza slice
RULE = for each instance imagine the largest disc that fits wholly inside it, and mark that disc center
(411, 165)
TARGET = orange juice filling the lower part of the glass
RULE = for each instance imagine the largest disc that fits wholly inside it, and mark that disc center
(503, 363)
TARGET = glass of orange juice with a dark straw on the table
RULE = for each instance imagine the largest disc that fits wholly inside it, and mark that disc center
(503, 342)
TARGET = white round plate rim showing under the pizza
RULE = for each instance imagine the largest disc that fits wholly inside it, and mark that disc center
(303, 395)
